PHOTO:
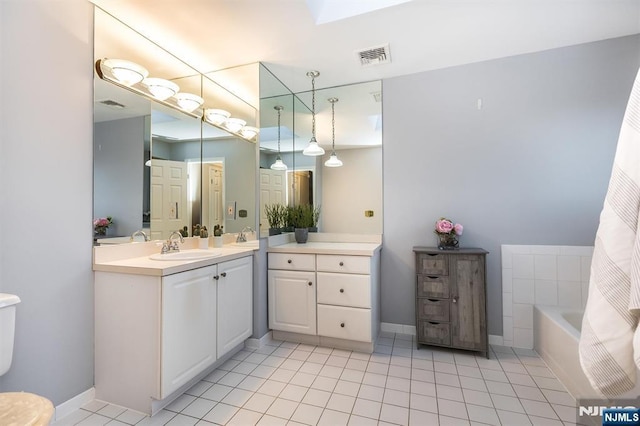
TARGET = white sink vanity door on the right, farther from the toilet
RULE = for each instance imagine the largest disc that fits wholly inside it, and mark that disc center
(235, 303)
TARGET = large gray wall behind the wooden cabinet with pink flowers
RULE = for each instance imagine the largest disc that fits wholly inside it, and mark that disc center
(531, 167)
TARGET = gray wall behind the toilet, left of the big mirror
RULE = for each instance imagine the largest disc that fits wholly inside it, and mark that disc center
(46, 191)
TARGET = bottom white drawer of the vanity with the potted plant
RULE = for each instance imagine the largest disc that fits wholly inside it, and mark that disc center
(344, 323)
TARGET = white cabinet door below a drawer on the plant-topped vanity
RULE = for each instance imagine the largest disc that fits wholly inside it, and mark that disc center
(292, 301)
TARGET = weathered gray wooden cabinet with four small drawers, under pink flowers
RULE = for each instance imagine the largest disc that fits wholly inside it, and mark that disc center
(451, 298)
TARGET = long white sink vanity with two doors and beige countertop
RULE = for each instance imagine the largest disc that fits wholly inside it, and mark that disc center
(160, 325)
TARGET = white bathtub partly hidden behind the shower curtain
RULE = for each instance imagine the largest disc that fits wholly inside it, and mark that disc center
(556, 333)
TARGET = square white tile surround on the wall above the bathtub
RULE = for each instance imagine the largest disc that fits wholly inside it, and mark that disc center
(540, 275)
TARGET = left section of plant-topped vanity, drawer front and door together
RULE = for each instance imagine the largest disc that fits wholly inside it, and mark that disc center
(292, 292)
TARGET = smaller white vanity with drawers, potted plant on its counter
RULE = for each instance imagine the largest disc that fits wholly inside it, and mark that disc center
(325, 292)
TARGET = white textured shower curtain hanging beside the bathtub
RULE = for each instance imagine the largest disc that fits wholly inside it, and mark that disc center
(609, 351)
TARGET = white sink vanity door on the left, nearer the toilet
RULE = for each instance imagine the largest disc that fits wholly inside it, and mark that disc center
(188, 326)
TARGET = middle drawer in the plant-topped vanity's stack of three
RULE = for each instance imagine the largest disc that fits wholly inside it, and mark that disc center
(344, 289)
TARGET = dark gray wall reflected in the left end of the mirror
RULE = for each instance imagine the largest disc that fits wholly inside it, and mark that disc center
(118, 173)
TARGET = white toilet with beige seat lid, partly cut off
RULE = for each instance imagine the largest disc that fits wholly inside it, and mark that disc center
(17, 408)
